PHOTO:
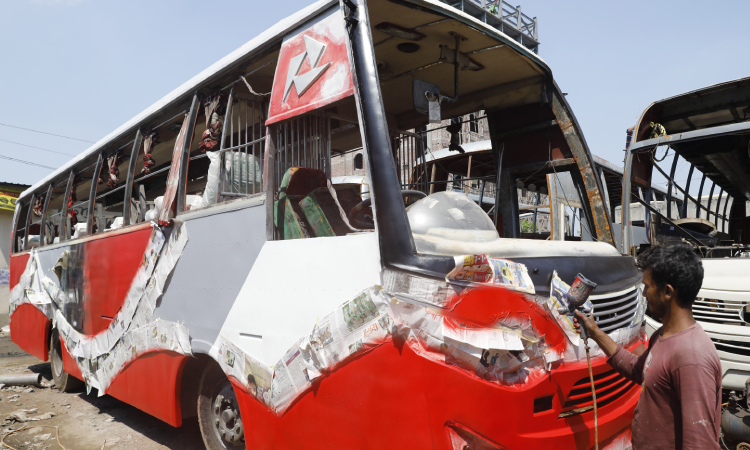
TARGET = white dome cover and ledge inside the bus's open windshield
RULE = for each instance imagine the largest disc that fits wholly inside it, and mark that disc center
(449, 223)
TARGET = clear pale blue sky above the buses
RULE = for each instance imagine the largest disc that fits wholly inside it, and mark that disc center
(82, 68)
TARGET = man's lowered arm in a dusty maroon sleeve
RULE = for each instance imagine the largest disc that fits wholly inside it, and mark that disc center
(697, 390)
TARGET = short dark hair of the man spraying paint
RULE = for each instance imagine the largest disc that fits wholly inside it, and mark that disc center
(677, 265)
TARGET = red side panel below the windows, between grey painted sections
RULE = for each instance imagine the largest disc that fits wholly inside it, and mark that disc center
(110, 266)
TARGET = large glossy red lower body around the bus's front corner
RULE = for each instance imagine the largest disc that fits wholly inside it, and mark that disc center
(411, 400)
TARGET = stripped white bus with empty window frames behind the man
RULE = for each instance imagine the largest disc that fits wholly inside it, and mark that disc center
(705, 128)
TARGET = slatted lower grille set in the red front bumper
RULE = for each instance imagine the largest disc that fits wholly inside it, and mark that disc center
(609, 387)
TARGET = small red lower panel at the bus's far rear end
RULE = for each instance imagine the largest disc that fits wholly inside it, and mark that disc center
(29, 329)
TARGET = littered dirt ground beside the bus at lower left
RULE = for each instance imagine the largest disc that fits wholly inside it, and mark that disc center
(85, 422)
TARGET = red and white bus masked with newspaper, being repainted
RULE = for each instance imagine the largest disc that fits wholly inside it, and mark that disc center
(198, 260)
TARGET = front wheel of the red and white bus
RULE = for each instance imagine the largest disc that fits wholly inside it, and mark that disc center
(219, 412)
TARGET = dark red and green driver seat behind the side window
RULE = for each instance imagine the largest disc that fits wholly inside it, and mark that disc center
(308, 206)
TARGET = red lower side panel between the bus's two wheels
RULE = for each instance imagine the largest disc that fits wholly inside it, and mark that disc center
(152, 383)
